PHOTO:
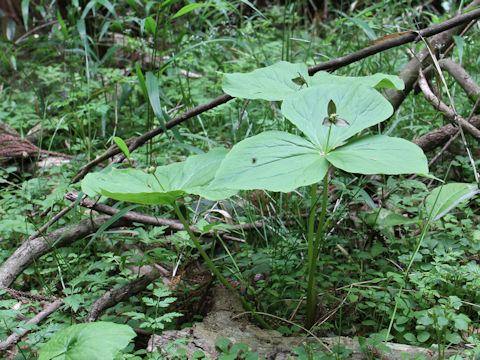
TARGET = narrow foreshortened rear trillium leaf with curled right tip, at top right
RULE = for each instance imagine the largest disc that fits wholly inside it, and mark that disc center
(378, 80)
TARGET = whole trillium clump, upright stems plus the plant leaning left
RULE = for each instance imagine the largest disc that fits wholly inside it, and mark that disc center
(330, 113)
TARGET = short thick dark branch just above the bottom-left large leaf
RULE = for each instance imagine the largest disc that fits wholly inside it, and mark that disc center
(113, 297)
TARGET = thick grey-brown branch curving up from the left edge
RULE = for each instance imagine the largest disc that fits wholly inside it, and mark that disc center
(32, 250)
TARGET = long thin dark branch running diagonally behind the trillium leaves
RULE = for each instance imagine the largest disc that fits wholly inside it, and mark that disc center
(409, 75)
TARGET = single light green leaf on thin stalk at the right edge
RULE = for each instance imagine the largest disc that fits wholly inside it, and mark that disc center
(444, 198)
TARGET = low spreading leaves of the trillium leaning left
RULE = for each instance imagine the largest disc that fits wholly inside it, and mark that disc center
(175, 180)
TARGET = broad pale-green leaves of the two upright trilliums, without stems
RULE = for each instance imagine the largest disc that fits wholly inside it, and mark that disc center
(283, 162)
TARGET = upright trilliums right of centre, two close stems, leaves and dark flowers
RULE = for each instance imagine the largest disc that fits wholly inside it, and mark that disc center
(331, 112)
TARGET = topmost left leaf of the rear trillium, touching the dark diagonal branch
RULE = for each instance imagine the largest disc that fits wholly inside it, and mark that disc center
(270, 83)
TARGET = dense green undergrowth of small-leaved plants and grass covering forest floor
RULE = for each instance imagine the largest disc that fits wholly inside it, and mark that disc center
(83, 91)
